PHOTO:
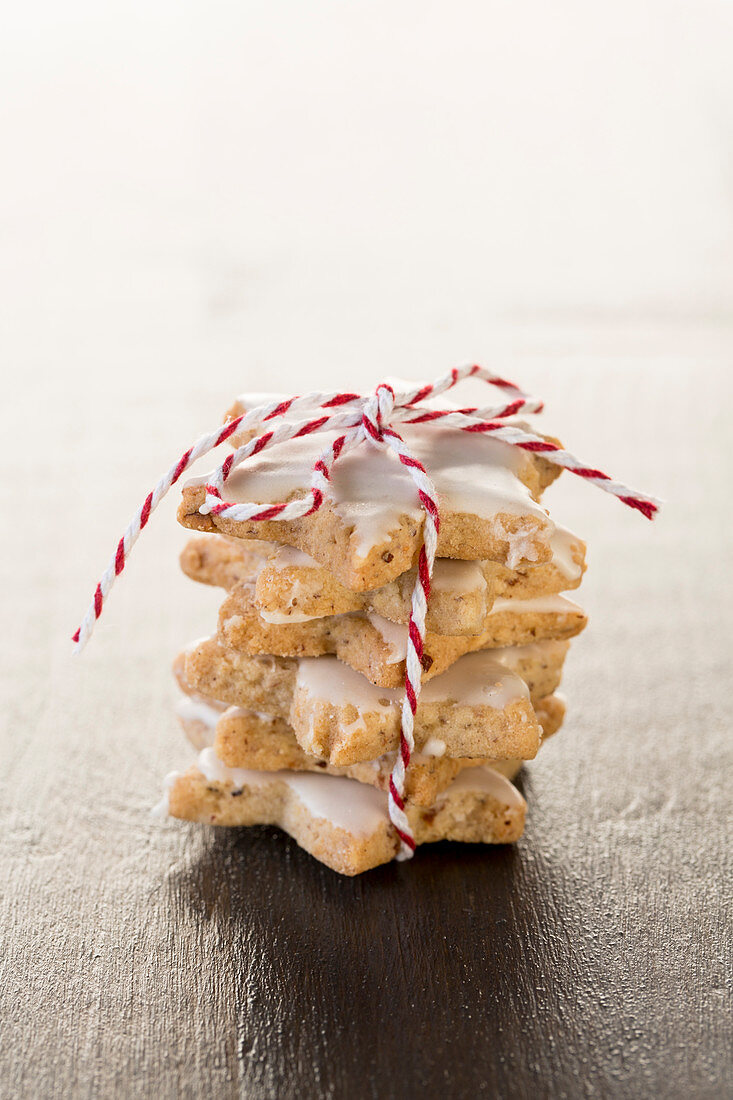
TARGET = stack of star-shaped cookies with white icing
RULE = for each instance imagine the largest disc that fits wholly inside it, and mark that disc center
(294, 705)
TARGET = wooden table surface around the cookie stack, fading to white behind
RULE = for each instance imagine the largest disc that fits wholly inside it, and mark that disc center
(205, 199)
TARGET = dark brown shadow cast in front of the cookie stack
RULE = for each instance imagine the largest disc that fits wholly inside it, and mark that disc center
(310, 960)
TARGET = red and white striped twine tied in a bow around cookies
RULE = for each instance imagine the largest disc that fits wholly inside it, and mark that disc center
(358, 419)
